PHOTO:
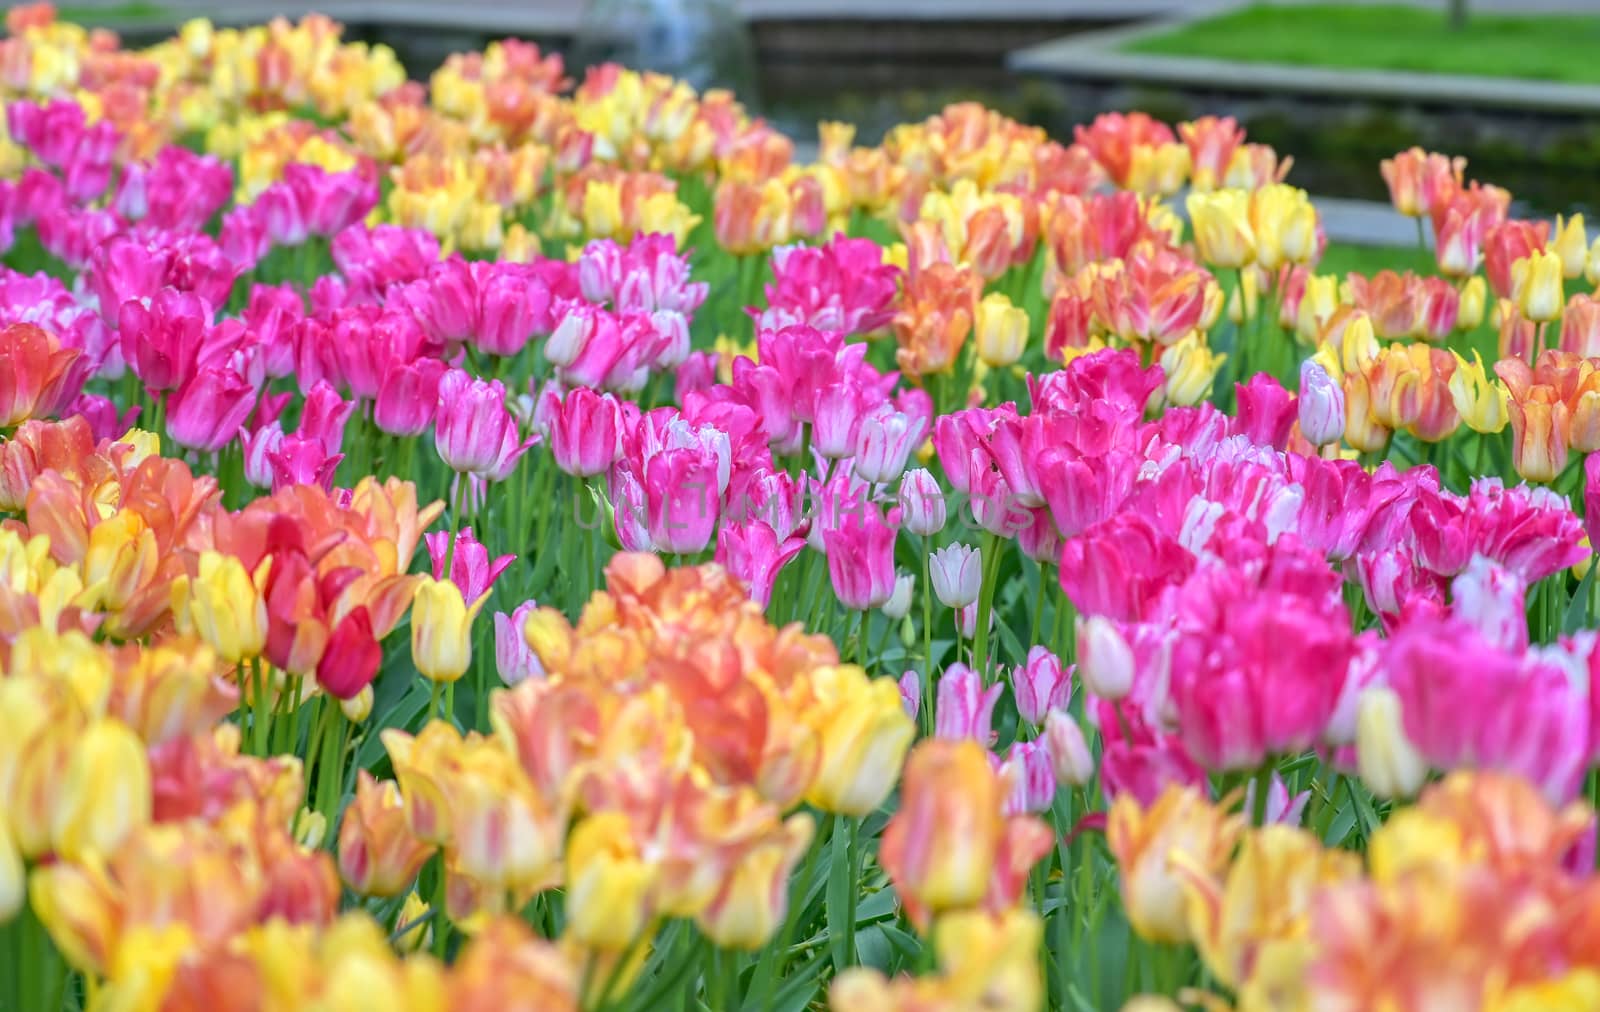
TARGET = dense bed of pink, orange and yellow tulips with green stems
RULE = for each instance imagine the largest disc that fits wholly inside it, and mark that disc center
(934, 577)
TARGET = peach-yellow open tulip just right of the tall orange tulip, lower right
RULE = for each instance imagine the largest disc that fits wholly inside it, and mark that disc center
(1182, 830)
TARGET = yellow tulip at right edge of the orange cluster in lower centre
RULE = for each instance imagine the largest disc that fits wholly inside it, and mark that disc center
(863, 736)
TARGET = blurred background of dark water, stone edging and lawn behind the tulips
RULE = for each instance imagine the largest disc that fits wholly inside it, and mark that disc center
(1510, 84)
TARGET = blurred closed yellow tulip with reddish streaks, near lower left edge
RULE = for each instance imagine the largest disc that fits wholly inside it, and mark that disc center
(106, 792)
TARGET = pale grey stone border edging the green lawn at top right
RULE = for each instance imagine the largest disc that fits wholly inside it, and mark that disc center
(1098, 57)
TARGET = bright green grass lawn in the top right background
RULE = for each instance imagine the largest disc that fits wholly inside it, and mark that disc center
(1545, 47)
